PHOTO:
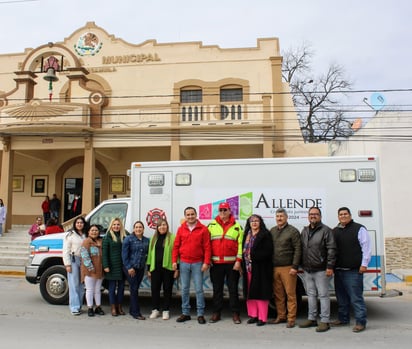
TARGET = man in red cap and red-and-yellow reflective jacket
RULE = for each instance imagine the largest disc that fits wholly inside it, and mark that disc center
(226, 241)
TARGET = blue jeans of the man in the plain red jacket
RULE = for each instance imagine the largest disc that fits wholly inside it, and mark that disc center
(194, 270)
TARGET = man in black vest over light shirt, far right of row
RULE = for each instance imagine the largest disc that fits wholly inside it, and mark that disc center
(353, 256)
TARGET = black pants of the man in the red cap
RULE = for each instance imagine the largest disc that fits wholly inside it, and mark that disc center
(219, 273)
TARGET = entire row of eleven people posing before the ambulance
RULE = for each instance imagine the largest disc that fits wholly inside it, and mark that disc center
(268, 260)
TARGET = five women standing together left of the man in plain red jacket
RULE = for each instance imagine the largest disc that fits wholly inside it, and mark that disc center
(118, 257)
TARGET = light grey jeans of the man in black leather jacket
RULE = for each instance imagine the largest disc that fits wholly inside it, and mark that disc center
(317, 285)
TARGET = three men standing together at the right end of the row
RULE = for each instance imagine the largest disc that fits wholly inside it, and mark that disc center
(322, 252)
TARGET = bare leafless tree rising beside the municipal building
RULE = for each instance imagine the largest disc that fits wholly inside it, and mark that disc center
(316, 99)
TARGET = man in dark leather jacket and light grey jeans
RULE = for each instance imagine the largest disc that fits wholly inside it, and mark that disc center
(318, 261)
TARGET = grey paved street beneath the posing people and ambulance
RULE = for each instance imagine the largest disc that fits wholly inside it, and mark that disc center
(27, 321)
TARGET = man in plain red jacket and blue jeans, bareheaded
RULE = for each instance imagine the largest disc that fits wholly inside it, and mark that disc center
(192, 250)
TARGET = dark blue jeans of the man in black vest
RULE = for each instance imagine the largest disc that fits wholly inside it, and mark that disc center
(349, 291)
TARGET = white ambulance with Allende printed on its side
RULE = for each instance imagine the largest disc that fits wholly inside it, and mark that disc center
(164, 189)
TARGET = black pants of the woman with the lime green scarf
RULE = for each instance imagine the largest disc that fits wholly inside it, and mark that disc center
(161, 277)
